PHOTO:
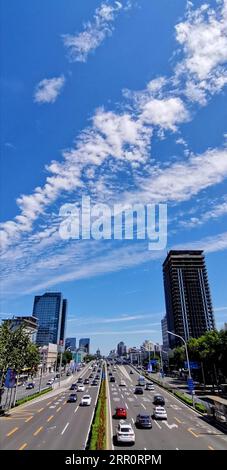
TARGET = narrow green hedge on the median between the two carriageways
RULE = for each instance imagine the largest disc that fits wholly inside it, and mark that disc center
(98, 430)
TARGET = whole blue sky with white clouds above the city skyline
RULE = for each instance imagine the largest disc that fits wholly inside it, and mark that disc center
(121, 101)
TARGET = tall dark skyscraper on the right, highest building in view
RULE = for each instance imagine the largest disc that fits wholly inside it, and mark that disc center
(189, 311)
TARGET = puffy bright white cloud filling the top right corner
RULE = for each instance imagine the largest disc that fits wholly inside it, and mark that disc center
(203, 38)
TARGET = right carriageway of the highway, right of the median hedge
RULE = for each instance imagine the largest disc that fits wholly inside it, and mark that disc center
(183, 430)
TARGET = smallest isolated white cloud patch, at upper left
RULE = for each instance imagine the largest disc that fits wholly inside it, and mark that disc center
(49, 89)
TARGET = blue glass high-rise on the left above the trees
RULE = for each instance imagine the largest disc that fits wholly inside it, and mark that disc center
(50, 309)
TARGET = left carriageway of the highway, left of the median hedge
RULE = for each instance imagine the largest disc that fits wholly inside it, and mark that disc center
(50, 422)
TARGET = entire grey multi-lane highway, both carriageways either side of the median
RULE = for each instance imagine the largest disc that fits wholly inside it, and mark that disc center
(51, 423)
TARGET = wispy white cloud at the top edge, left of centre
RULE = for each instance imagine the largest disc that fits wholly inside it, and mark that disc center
(80, 45)
